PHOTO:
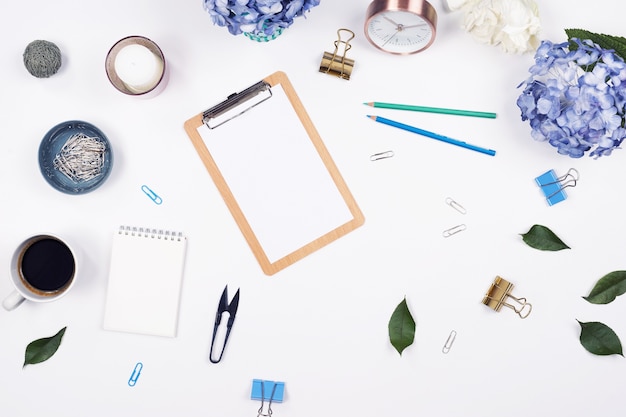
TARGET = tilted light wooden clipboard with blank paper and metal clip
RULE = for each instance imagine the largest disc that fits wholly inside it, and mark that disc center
(274, 173)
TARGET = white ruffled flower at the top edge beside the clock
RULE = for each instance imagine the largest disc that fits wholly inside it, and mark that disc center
(512, 24)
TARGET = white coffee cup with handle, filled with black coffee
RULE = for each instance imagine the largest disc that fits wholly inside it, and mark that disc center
(43, 269)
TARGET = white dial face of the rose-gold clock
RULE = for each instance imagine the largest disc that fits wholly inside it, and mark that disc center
(399, 32)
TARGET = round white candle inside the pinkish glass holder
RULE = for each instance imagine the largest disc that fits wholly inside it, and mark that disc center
(138, 68)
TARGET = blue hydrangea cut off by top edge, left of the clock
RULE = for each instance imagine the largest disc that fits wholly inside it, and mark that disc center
(257, 17)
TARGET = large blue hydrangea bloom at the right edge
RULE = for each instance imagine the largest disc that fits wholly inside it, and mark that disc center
(575, 99)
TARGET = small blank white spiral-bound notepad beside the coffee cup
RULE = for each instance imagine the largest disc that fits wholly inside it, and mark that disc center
(145, 280)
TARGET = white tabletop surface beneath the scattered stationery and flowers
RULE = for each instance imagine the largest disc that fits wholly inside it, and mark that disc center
(320, 325)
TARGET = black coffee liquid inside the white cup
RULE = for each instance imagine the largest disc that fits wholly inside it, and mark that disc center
(47, 265)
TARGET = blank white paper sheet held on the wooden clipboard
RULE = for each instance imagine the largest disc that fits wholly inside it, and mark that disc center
(276, 176)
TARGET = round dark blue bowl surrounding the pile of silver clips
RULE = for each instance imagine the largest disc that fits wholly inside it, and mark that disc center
(50, 148)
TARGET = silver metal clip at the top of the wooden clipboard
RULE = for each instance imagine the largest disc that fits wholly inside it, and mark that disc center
(229, 109)
